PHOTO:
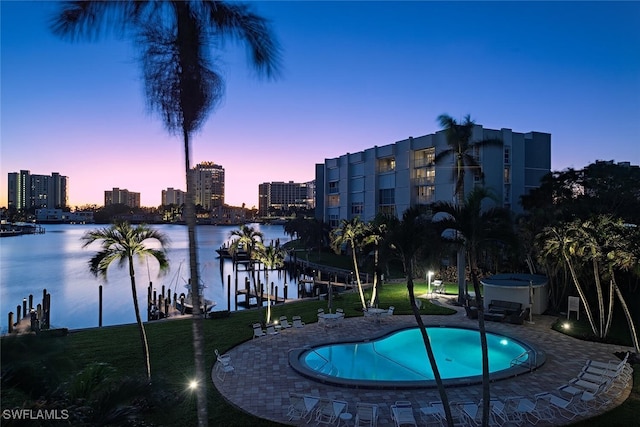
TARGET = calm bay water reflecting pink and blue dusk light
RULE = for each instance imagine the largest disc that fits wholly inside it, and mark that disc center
(57, 262)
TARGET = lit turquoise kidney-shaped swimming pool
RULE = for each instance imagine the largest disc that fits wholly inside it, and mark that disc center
(400, 359)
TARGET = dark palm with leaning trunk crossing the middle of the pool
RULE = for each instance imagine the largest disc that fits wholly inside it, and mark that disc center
(407, 239)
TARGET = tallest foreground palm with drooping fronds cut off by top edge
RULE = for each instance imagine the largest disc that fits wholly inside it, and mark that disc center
(175, 39)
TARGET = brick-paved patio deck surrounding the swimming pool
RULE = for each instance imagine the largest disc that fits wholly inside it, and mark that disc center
(263, 379)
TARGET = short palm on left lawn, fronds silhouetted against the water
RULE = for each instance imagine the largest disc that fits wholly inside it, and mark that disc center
(122, 243)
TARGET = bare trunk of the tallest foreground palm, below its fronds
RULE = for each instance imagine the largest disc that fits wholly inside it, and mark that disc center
(198, 330)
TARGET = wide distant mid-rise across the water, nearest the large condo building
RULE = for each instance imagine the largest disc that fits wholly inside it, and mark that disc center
(281, 197)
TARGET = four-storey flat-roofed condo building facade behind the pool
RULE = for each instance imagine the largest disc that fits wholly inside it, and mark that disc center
(391, 178)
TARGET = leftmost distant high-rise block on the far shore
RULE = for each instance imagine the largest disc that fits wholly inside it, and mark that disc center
(40, 191)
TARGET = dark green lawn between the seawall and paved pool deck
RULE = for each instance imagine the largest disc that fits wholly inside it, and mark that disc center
(171, 351)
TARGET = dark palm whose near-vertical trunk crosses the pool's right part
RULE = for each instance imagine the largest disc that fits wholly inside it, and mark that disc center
(475, 229)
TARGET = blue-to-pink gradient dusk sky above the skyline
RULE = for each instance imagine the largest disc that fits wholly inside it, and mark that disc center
(354, 75)
